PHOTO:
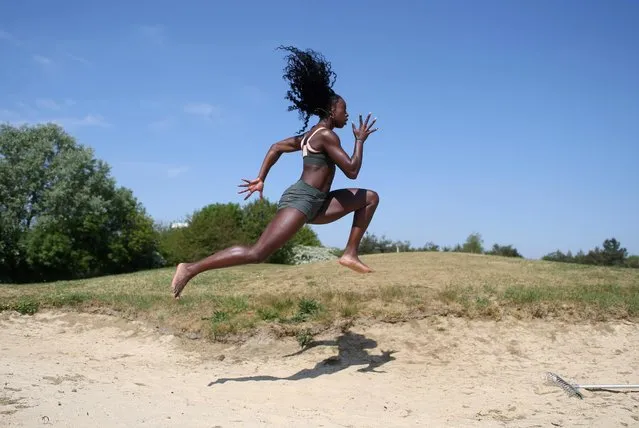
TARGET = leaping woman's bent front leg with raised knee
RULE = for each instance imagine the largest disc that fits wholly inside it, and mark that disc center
(362, 203)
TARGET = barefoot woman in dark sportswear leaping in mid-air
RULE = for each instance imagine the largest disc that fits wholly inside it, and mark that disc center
(309, 200)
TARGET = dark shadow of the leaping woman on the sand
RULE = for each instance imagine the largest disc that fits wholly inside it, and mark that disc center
(352, 352)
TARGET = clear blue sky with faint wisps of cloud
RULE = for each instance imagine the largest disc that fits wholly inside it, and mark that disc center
(517, 120)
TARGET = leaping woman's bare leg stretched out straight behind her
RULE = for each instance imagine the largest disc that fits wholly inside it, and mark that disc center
(283, 227)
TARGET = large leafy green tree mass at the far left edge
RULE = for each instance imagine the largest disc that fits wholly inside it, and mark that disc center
(61, 214)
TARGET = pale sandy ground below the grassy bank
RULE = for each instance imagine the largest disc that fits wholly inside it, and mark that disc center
(75, 370)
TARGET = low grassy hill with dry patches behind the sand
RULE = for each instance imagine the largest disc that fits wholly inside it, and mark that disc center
(308, 298)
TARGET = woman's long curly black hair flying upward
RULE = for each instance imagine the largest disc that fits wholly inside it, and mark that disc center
(311, 82)
